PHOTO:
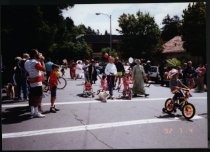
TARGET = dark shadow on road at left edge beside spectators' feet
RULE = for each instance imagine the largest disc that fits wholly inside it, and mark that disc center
(15, 115)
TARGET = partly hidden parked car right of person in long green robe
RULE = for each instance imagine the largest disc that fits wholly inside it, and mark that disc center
(154, 74)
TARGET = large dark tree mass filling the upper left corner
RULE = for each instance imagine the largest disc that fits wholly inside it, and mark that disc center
(41, 27)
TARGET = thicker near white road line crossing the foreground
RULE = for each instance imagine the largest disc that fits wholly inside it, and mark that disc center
(89, 127)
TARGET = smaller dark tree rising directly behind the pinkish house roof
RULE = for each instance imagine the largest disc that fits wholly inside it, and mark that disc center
(171, 28)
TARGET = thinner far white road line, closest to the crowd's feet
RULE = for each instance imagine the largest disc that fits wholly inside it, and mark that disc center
(96, 101)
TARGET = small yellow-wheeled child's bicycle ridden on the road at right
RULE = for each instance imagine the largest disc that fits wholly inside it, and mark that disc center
(187, 109)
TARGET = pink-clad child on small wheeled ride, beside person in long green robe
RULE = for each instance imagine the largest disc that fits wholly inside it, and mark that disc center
(128, 84)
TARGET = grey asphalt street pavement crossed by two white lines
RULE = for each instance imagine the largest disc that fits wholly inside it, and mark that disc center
(87, 123)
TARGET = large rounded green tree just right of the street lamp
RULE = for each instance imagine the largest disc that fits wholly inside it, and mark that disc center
(141, 34)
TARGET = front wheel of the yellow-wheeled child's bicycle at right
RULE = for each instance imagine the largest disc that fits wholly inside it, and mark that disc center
(188, 111)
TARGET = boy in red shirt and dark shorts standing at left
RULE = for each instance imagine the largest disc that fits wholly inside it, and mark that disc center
(53, 86)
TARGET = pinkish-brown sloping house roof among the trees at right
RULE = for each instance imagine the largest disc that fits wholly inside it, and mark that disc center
(175, 45)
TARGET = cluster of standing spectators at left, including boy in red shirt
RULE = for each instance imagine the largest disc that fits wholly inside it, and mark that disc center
(28, 75)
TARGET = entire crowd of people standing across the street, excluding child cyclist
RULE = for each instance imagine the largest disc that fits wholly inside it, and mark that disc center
(30, 70)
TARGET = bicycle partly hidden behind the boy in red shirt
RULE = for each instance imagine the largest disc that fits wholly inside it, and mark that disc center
(61, 84)
